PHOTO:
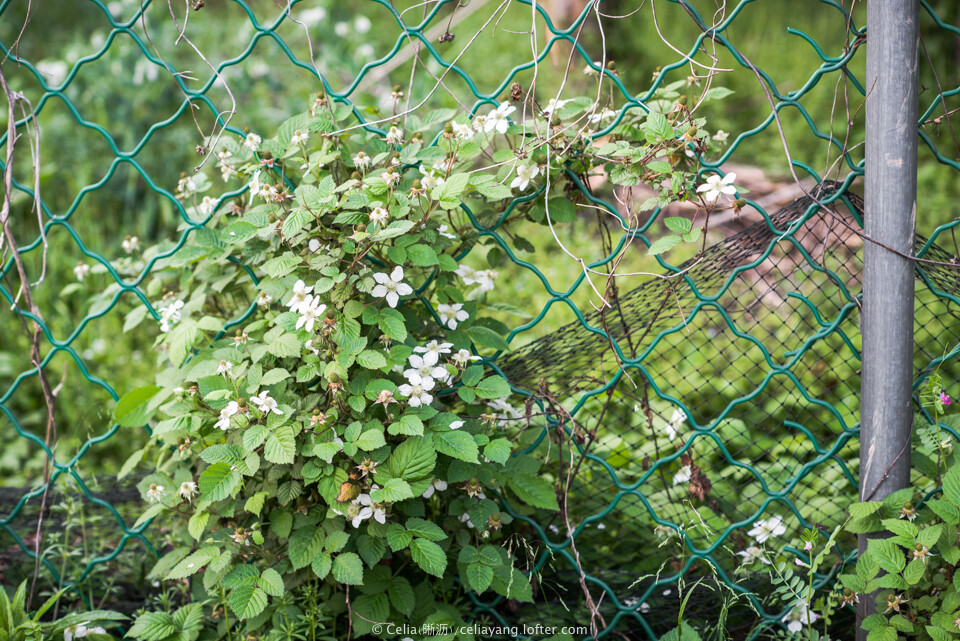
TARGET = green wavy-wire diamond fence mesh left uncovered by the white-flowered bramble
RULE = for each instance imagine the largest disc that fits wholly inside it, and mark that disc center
(723, 393)
